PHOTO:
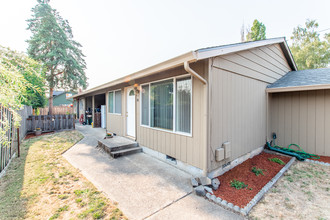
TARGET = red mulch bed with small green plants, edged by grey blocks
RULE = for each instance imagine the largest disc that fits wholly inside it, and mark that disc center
(250, 181)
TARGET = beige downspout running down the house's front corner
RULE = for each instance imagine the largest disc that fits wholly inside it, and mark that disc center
(200, 78)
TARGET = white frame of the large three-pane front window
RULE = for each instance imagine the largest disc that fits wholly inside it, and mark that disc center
(174, 131)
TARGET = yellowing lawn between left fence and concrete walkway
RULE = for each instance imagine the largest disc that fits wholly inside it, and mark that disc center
(41, 184)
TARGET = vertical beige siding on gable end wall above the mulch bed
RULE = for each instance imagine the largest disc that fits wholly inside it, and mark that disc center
(238, 114)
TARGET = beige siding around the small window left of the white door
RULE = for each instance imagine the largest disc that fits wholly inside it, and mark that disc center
(115, 122)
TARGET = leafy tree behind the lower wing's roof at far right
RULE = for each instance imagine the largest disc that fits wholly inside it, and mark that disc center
(307, 49)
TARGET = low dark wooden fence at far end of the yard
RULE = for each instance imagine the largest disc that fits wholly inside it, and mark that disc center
(49, 123)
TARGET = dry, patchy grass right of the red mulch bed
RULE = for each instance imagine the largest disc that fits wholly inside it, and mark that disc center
(303, 192)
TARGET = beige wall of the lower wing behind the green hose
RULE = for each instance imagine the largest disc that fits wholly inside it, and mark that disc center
(302, 118)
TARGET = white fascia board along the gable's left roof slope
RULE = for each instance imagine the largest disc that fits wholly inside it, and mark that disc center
(222, 50)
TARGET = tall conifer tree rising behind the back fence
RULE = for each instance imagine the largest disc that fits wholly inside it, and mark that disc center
(52, 43)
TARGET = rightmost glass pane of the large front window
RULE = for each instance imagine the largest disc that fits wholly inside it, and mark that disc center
(183, 105)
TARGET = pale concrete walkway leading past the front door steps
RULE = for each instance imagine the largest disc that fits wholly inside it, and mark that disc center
(143, 187)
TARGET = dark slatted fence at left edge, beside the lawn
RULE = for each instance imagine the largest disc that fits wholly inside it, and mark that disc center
(7, 135)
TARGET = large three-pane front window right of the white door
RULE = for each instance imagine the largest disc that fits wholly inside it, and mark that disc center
(160, 100)
